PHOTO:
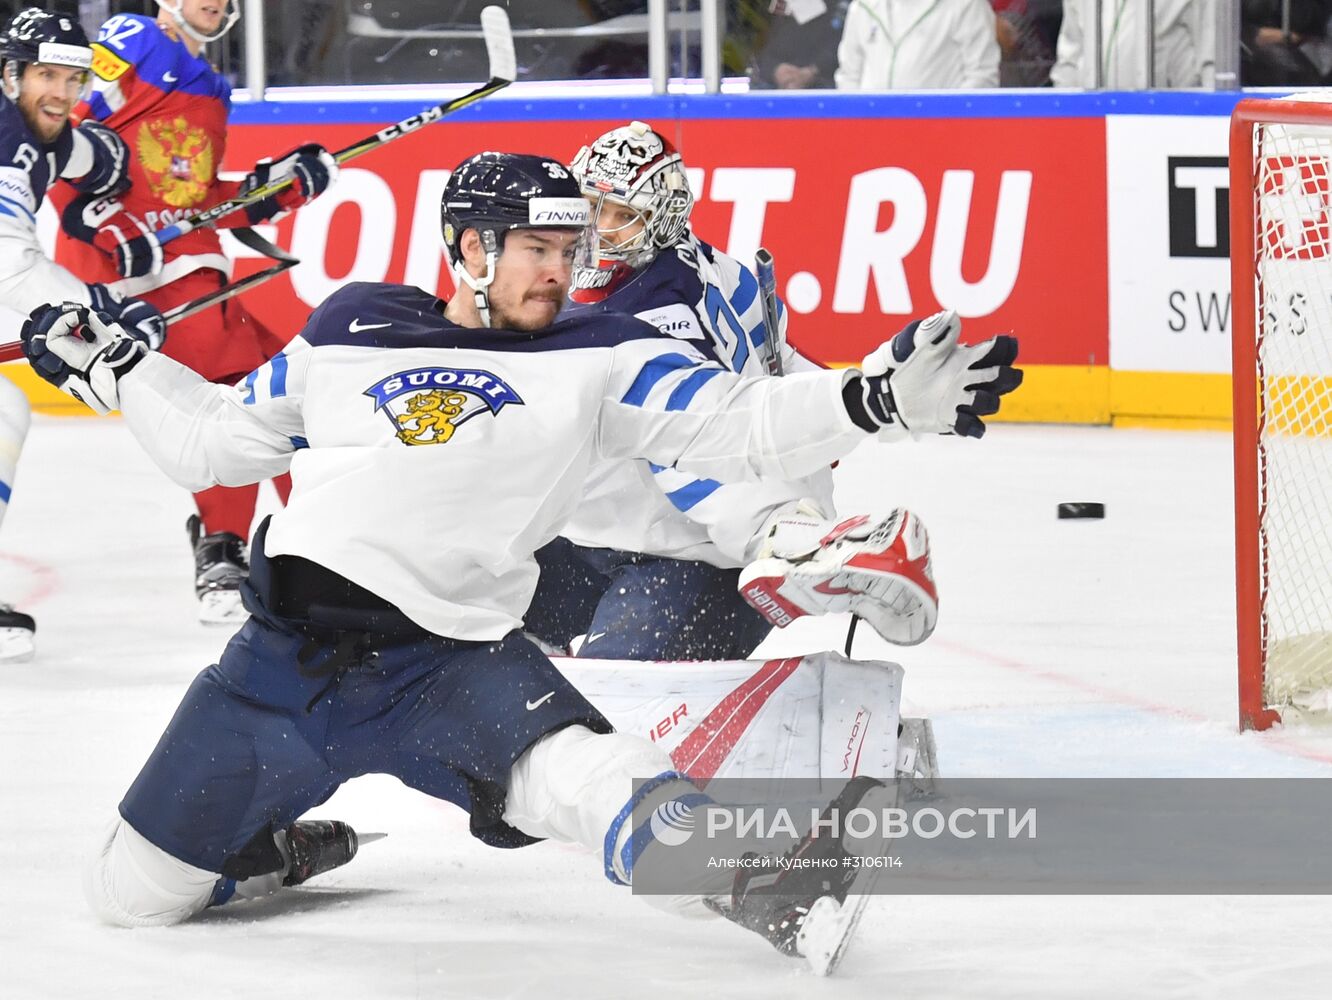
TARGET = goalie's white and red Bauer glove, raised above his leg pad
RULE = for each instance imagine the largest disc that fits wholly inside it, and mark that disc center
(876, 568)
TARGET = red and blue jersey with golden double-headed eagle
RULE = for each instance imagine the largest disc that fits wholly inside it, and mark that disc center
(171, 109)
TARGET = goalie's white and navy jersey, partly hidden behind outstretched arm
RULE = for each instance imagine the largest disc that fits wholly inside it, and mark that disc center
(711, 300)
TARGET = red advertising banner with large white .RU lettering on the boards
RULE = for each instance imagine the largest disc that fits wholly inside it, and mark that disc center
(873, 222)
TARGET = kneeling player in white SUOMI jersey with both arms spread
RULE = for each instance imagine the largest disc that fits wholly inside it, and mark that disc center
(434, 448)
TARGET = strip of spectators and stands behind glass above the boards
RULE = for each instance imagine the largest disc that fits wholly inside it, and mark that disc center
(780, 45)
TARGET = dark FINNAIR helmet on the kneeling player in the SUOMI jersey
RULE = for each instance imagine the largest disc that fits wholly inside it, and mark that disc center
(498, 192)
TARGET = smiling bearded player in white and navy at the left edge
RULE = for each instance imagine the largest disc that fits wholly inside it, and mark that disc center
(45, 67)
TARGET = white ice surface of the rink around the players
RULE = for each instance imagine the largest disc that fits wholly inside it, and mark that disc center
(1065, 648)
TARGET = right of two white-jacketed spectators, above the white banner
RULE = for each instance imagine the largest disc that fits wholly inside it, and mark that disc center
(1186, 33)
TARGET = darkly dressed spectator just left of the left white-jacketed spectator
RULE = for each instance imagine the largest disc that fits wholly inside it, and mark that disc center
(800, 51)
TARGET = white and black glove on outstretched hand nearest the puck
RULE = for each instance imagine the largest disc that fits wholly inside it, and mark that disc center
(925, 383)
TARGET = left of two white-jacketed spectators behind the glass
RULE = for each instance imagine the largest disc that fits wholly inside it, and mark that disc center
(928, 45)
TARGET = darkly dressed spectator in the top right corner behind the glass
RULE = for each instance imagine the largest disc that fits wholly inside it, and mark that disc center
(1285, 43)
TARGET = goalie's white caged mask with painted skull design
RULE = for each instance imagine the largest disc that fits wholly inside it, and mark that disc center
(633, 168)
